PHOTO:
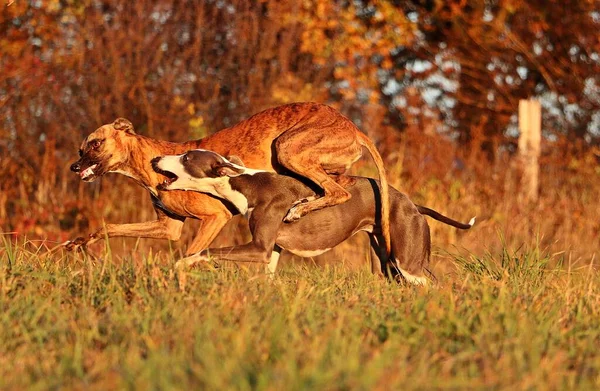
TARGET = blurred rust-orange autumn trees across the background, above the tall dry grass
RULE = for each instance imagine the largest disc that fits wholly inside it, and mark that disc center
(181, 69)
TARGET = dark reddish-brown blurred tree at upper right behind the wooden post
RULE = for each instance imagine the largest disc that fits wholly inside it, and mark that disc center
(500, 51)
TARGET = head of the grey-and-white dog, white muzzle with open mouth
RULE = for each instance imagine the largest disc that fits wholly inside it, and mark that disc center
(198, 170)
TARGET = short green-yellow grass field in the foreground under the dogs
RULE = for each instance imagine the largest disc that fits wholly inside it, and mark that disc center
(511, 321)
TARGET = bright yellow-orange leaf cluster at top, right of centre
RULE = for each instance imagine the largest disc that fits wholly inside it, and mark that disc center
(357, 45)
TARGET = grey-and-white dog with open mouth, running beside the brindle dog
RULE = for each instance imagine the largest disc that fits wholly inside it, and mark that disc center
(268, 196)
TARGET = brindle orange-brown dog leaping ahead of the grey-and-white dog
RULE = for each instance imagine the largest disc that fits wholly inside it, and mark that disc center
(311, 140)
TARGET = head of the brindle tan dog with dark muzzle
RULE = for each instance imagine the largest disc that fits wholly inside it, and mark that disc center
(103, 150)
